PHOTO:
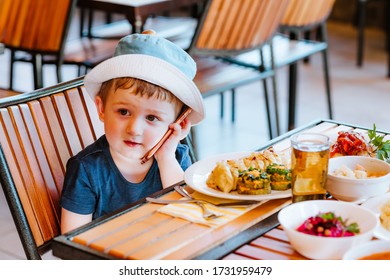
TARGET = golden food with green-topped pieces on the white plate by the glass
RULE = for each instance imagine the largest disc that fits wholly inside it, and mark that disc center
(248, 175)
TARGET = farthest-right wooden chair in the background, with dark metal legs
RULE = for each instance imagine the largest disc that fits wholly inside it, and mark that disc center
(301, 17)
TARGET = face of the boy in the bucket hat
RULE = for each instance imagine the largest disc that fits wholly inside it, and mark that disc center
(134, 124)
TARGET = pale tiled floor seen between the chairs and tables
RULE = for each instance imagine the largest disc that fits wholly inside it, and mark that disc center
(360, 96)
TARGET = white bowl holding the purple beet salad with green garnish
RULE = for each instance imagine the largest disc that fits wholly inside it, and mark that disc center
(319, 247)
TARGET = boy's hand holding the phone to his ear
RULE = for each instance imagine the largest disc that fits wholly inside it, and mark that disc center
(168, 149)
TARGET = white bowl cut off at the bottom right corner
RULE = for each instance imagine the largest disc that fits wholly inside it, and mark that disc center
(367, 249)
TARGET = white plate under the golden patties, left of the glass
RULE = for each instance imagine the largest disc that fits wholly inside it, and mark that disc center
(196, 175)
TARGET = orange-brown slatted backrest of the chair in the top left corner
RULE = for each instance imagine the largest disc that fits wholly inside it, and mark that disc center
(35, 25)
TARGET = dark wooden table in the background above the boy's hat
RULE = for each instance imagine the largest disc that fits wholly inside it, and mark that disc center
(136, 11)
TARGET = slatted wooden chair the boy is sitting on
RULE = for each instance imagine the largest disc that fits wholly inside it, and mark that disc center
(39, 132)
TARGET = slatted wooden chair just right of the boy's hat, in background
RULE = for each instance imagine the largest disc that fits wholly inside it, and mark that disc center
(230, 28)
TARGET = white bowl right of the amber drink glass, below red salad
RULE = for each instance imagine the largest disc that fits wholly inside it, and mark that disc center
(355, 190)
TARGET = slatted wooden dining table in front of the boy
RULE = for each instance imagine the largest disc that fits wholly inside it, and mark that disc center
(140, 232)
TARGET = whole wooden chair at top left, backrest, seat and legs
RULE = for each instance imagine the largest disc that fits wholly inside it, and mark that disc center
(35, 31)
